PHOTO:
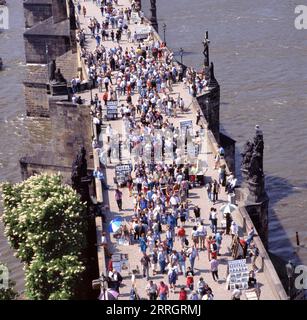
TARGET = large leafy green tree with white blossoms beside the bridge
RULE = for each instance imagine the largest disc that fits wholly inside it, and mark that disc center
(45, 223)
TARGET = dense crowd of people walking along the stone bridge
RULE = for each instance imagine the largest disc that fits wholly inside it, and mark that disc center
(159, 190)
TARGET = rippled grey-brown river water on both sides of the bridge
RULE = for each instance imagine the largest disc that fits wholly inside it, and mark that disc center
(261, 64)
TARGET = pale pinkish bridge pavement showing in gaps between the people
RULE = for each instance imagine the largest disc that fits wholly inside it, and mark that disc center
(198, 196)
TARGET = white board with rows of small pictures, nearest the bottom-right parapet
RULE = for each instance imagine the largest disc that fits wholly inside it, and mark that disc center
(239, 274)
